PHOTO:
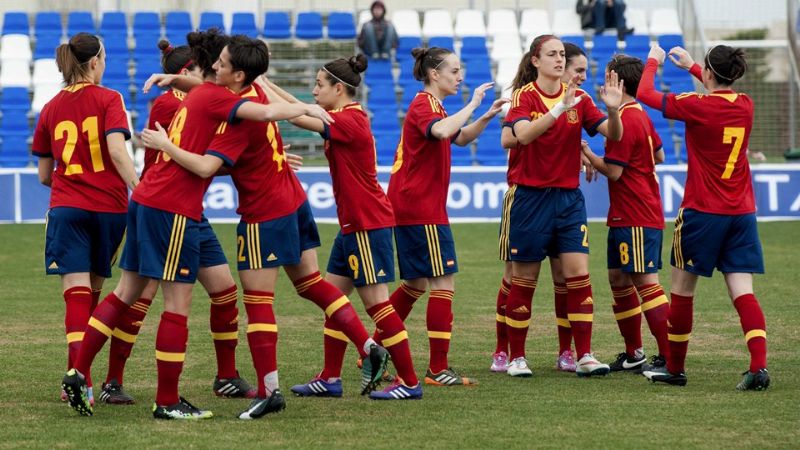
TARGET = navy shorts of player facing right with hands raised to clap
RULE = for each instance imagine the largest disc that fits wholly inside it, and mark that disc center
(425, 251)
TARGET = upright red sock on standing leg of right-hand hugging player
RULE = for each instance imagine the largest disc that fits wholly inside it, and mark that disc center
(262, 335)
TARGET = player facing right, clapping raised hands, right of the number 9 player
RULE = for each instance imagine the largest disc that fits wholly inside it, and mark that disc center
(418, 193)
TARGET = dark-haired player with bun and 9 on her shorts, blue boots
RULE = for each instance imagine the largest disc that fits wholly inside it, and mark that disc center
(362, 255)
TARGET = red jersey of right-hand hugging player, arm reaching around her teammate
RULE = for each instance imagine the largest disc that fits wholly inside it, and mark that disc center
(267, 186)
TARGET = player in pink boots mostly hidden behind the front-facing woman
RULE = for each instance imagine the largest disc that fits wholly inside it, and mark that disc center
(576, 64)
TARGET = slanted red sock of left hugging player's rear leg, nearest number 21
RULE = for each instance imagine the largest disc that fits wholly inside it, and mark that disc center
(99, 329)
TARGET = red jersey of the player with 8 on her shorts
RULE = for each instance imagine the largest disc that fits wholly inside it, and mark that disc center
(635, 198)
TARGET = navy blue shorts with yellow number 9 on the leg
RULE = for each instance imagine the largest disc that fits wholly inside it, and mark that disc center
(366, 257)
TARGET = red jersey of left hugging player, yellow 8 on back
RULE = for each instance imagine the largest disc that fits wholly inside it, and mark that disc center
(168, 186)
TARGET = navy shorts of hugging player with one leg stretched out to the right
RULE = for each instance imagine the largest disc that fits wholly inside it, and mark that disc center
(277, 242)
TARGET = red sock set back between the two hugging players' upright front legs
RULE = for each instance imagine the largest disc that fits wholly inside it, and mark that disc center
(224, 322)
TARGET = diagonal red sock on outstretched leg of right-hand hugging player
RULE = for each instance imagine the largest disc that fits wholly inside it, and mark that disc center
(336, 306)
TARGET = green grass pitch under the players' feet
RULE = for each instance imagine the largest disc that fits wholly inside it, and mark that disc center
(551, 409)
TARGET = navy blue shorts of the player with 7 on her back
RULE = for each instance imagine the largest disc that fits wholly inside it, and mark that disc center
(703, 241)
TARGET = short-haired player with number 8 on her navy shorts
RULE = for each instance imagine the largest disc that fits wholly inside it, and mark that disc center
(636, 223)
